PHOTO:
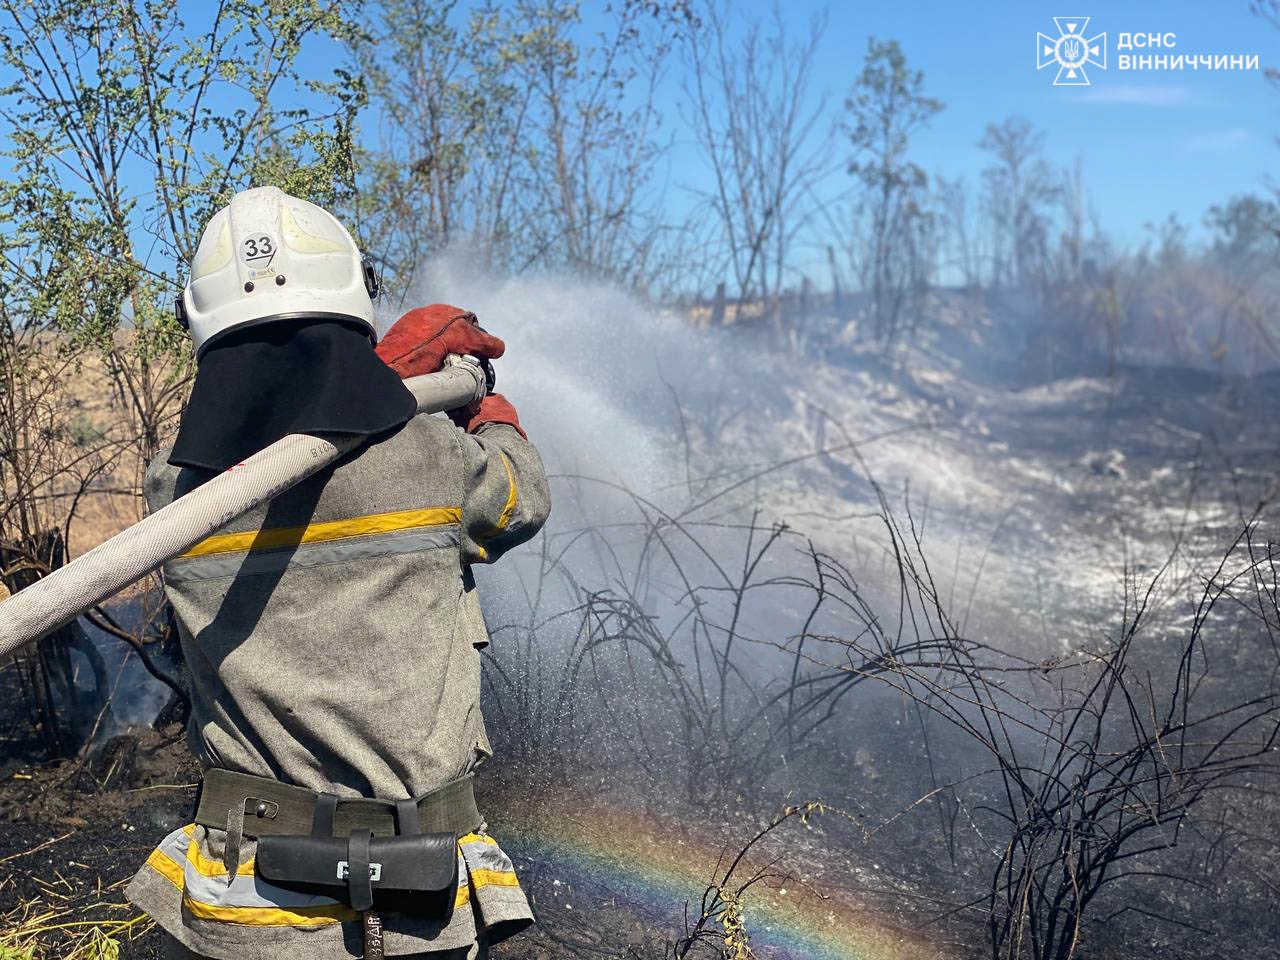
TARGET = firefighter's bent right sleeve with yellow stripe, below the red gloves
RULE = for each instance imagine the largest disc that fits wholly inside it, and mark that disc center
(506, 500)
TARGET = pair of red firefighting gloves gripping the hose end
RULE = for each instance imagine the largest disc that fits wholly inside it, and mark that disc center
(419, 342)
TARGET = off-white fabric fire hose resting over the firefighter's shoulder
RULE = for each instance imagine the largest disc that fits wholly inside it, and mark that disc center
(98, 575)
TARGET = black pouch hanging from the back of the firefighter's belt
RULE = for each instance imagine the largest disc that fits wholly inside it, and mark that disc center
(413, 874)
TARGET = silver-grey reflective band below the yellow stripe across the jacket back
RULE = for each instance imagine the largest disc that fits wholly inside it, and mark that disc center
(312, 555)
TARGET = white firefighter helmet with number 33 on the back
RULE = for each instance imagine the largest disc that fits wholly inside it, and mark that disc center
(269, 257)
